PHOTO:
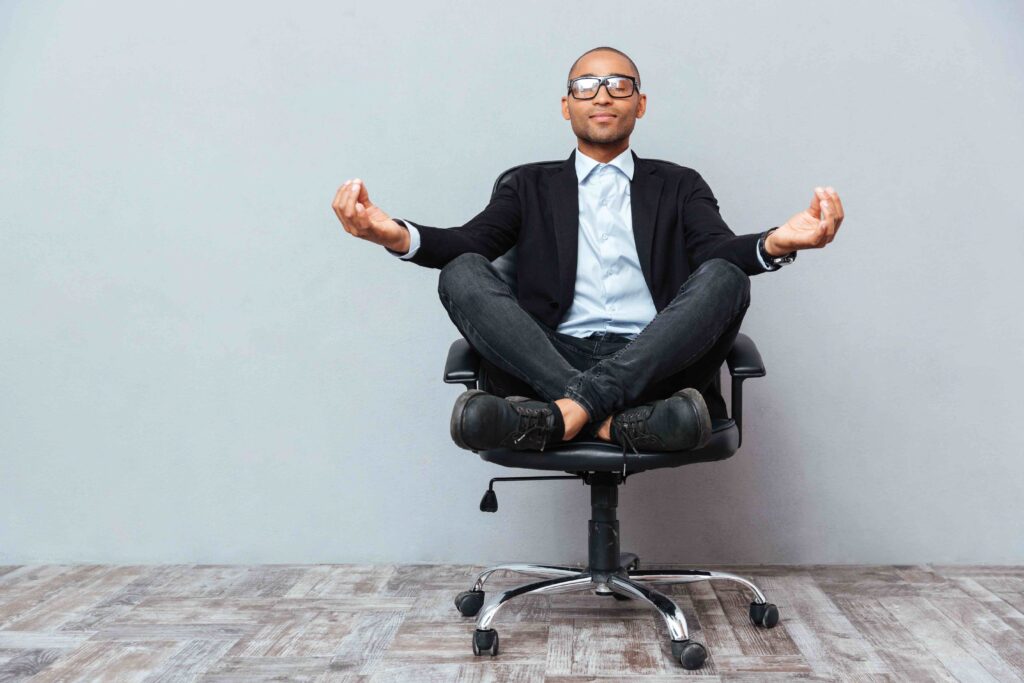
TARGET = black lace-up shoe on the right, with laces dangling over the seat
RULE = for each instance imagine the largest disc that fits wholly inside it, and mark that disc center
(680, 422)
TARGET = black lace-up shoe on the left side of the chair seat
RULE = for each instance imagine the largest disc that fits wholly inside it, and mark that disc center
(482, 421)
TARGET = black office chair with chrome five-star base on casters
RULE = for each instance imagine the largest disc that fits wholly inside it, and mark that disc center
(604, 467)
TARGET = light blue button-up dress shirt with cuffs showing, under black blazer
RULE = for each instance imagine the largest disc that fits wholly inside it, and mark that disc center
(612, 294)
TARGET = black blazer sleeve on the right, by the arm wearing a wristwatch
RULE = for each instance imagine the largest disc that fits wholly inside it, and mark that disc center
(708, 236)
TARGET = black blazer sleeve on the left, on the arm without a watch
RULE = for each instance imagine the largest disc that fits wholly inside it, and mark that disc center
(491, 233)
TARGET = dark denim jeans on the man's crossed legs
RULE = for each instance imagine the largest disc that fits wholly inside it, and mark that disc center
(685, 347)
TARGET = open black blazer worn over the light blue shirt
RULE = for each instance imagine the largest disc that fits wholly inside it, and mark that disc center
(536, 207)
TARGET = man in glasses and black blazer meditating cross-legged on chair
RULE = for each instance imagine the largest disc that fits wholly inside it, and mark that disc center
(631, 287)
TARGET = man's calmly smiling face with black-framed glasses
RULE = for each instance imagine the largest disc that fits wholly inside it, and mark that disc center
(604, 120)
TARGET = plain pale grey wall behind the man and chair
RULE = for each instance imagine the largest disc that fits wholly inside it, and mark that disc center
(199, 365)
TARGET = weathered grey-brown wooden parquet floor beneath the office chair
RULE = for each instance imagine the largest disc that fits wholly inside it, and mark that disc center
(387, 623)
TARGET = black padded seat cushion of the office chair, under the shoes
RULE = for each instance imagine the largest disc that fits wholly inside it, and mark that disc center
(598, 456)
